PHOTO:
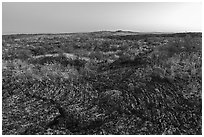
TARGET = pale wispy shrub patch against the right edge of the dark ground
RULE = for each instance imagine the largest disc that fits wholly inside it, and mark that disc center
(186, 68)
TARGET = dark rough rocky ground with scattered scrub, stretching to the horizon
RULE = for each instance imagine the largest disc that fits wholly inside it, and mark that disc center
(150, 89)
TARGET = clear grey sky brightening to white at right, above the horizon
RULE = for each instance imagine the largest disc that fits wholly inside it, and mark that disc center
(88, 17)
